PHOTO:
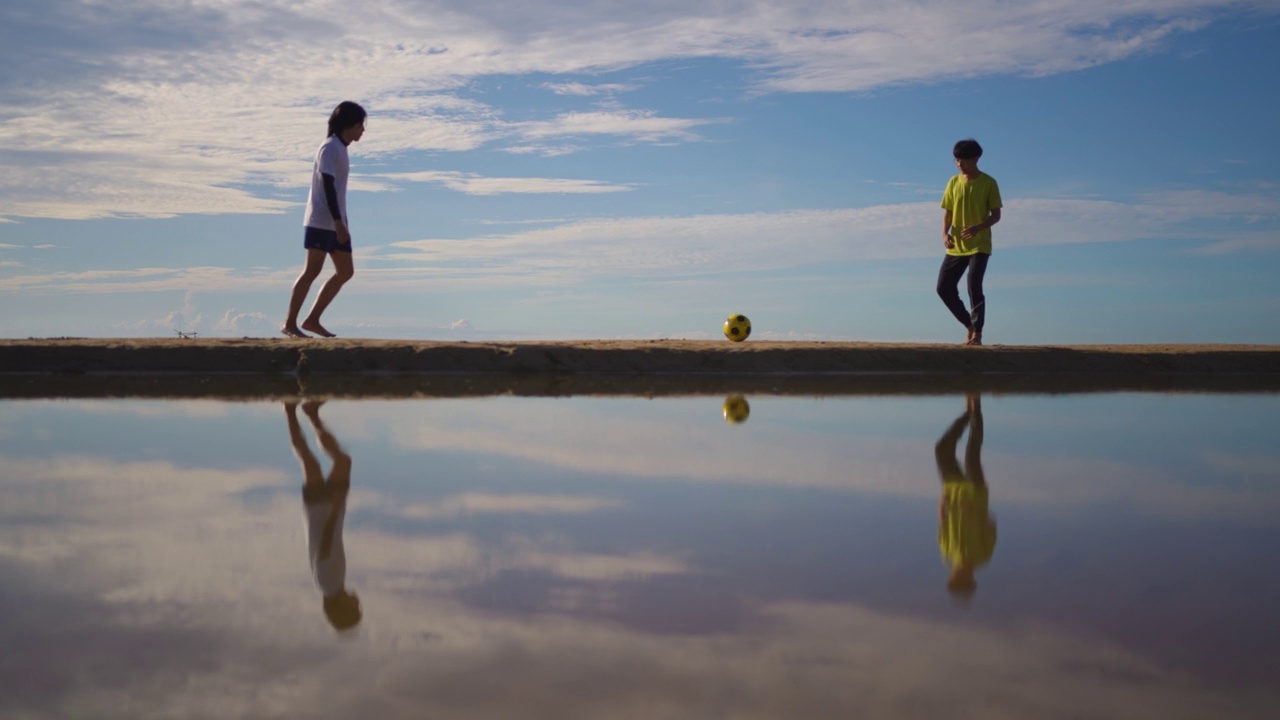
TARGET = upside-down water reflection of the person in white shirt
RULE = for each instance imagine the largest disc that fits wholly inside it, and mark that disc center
(326, 504)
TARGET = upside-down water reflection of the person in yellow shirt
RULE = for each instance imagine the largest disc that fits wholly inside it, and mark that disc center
(967, 532)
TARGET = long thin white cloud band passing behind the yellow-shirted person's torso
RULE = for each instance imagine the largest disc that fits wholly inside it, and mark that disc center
(708, 245)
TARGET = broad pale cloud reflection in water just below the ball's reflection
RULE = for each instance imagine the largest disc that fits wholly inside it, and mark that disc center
(621, 446)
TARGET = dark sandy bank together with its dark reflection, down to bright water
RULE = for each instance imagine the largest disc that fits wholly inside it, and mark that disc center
(254, 367)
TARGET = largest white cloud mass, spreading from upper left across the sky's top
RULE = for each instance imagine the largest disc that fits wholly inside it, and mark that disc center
(152, 108)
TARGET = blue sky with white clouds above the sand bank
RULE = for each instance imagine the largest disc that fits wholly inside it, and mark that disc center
(587, 170)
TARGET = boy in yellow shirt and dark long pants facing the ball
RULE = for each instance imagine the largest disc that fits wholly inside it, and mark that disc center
(971, 206)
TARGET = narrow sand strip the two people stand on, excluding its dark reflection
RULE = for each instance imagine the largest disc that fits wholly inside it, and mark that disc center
(612, 358)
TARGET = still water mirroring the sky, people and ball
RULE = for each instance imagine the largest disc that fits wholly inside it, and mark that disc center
(1095, 555)
